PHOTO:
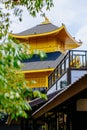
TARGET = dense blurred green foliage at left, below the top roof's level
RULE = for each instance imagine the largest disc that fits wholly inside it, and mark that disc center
(14, 91)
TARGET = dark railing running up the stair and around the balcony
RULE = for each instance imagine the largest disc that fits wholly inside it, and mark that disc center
(74, 59)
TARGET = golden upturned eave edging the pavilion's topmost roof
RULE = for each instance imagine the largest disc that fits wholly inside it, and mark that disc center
(61, 33)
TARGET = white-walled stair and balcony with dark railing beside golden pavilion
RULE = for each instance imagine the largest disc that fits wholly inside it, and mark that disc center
(70, 69)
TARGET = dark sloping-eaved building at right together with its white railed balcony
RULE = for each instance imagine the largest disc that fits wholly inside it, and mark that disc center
(67, 107)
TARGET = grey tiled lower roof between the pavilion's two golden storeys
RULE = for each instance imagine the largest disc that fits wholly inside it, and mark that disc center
(44, 64)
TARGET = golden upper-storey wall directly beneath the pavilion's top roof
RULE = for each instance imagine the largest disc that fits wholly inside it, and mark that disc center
(46, 44)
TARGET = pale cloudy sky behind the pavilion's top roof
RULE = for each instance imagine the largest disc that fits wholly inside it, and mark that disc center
(73, 13)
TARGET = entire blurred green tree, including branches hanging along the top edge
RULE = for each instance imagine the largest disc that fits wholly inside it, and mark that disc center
(13, 86)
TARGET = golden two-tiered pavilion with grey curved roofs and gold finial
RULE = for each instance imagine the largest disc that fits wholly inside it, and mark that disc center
(51, 39)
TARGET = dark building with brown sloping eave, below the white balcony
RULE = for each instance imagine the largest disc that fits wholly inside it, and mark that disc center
(67, 110)
